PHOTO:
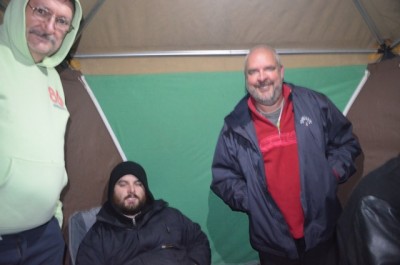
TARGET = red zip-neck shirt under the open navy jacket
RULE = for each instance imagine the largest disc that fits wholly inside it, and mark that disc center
(281, 163)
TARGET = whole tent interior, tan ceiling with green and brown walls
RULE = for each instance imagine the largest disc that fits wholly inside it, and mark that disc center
(152, 80)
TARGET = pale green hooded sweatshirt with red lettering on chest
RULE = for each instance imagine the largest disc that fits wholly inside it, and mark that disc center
(33, 119)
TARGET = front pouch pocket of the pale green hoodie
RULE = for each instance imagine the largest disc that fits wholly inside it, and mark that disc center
(30, 190)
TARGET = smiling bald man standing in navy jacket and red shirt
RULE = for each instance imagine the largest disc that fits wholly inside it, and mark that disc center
(279, 158)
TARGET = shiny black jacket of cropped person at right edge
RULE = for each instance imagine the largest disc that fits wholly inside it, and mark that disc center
(369, 229)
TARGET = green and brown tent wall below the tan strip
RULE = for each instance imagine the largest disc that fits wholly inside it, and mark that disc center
(170, 122)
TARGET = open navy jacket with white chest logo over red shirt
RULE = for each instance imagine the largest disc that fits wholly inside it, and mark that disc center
(325, 144)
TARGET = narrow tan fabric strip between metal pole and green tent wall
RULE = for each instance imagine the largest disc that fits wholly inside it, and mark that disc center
(187, 64)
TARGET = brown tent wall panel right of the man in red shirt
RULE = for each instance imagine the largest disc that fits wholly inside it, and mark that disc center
(376, 119)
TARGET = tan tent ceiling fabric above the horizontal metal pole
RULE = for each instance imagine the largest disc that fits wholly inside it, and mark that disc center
(134, 26)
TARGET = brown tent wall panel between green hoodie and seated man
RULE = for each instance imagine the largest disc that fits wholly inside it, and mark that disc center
(90, 151)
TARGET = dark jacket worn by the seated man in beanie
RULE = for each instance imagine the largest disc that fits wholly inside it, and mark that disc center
(160, 235)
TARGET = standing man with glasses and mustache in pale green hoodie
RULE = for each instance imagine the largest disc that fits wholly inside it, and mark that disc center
(36, 35)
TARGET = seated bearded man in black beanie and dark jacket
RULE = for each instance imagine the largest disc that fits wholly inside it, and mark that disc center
(133, 228)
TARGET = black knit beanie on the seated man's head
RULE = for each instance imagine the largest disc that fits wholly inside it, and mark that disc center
(126, 168)
